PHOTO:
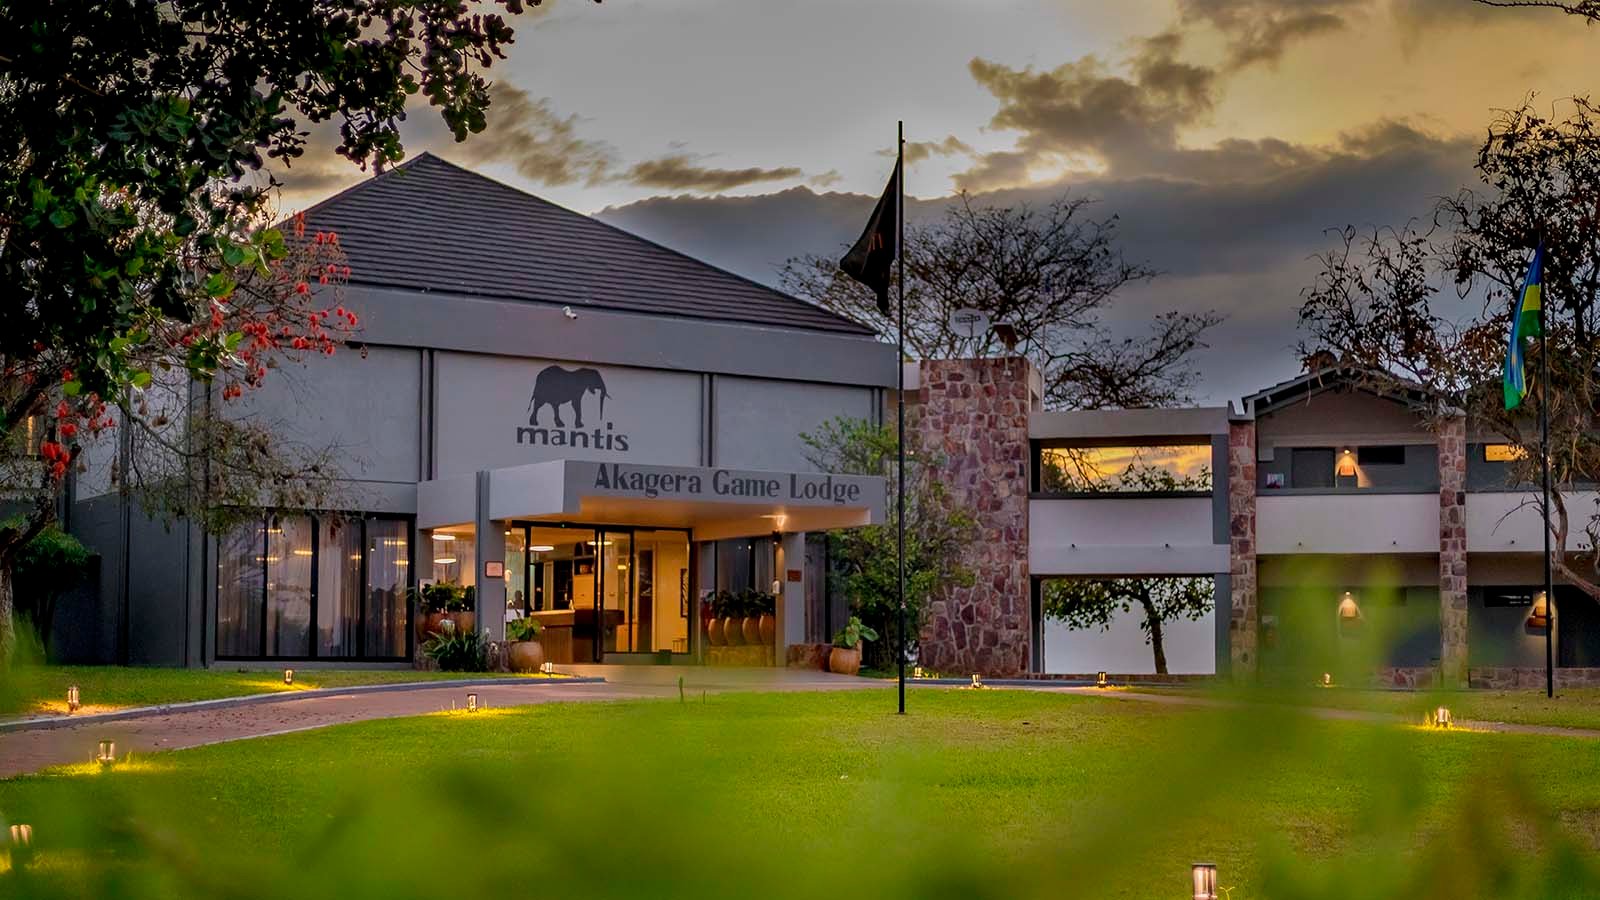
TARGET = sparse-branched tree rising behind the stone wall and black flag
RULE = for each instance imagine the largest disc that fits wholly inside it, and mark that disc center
(1049, 276)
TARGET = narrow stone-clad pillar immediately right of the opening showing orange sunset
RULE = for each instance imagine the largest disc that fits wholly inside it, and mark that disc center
(1246, 616)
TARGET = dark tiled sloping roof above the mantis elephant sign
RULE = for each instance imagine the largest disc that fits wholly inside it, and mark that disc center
(434, 227)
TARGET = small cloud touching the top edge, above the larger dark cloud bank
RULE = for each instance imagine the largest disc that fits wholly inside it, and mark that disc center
(1260, 31)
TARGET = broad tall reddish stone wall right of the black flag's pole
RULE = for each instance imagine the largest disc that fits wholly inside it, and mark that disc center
(975, 416)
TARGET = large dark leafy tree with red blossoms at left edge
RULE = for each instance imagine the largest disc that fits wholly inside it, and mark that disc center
(134, 252)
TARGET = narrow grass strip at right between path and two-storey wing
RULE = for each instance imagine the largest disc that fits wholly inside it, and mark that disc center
(1574, 709)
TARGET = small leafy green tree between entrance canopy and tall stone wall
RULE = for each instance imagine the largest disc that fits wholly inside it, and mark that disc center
(866, 561)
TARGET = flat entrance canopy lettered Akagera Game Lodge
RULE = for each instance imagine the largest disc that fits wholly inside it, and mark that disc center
(714, 504)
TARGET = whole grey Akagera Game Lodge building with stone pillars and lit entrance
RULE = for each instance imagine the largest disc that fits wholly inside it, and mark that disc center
(598, 432)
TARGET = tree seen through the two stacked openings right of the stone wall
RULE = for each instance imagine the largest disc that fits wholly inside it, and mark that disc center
(1090, 603)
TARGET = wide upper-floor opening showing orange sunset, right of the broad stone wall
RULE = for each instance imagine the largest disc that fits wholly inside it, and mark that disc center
(1126, 470)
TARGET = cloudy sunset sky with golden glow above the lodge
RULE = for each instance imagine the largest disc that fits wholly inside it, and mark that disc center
(1226, 137)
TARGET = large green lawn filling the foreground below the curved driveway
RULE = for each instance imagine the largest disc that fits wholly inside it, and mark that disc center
(975, 795)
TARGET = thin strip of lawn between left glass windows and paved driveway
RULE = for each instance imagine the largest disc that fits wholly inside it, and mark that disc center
(44, 689)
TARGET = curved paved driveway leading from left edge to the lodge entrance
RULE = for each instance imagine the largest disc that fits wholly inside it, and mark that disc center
(31, 752)
